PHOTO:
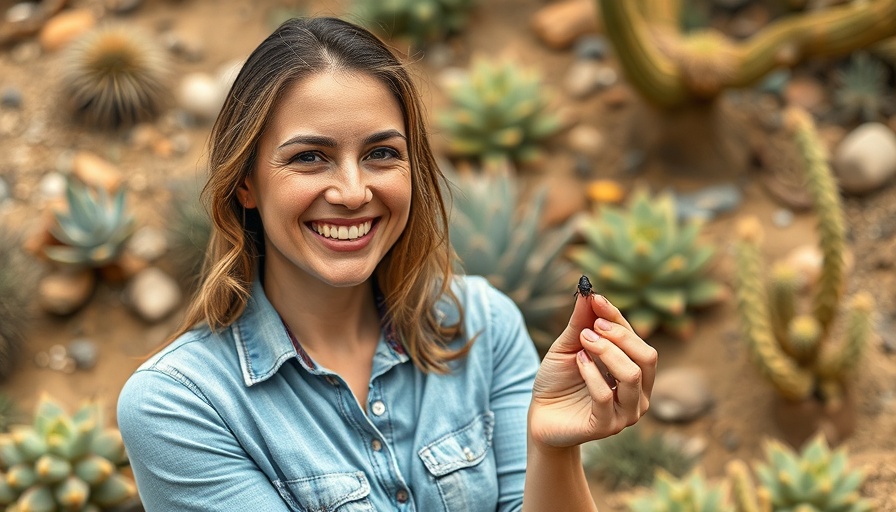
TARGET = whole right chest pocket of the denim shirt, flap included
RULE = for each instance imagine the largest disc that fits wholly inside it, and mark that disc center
(463, 466)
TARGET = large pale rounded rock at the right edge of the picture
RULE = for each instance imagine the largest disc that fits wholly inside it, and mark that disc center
(866, 158)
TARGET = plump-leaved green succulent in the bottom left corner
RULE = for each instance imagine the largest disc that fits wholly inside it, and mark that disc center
(63, 462)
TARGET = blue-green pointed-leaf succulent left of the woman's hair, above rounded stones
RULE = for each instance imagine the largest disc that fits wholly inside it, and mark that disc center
(93, 229)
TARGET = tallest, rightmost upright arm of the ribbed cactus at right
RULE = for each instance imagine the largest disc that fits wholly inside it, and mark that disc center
(829, 210)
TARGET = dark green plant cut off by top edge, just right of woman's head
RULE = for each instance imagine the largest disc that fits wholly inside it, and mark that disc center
(420, 22)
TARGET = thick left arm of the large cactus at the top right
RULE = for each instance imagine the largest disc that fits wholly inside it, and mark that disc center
(651, 72)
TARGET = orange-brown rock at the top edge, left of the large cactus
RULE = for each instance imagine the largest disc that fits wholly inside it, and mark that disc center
(559, 24)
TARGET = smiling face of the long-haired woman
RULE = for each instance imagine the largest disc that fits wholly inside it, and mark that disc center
(332, 179)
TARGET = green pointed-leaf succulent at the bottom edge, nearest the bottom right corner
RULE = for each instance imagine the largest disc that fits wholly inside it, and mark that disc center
(814, 480)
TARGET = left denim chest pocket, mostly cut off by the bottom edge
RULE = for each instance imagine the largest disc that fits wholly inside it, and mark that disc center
(334, 492)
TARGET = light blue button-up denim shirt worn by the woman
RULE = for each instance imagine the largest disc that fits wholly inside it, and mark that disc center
(243, 420)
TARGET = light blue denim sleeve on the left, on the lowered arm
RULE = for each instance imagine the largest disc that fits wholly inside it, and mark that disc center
(183, 455)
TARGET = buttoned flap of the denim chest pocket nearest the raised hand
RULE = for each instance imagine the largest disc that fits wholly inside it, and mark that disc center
(459, 449)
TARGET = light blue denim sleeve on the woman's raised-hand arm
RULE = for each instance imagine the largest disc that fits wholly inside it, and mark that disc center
(515, 365)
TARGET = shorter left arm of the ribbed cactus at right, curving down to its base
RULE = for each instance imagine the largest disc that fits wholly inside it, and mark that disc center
(789, 379)
